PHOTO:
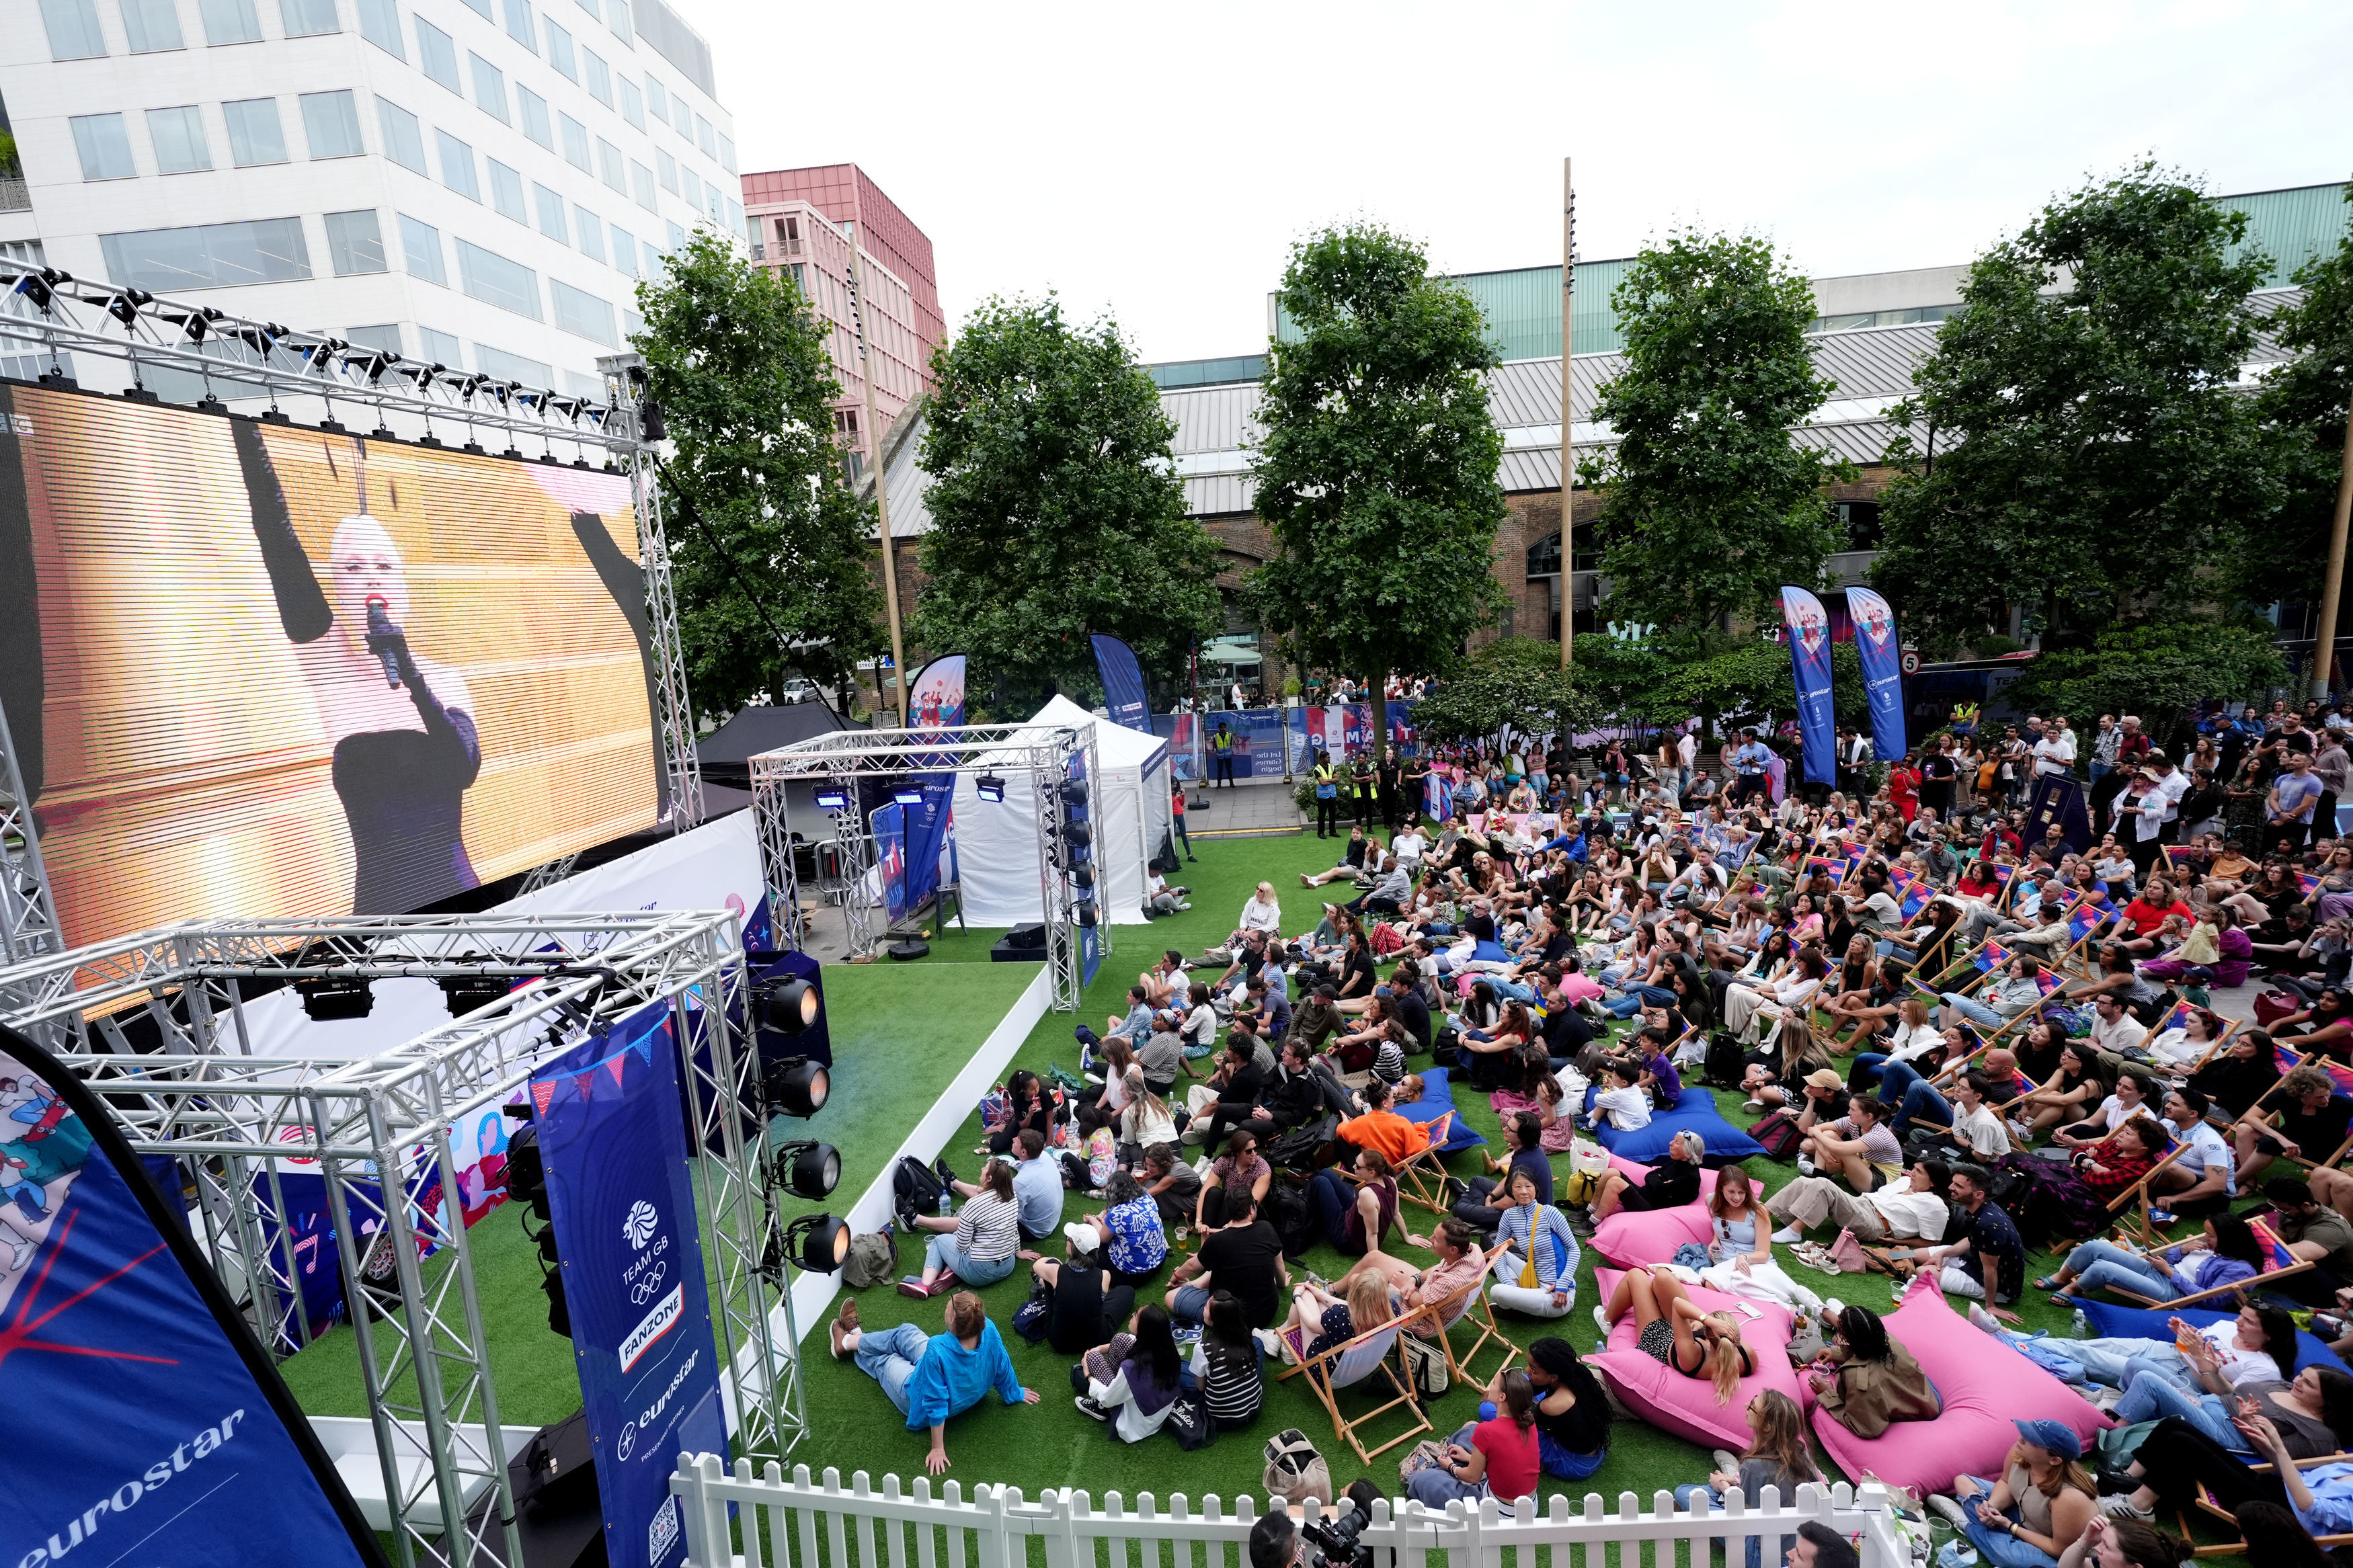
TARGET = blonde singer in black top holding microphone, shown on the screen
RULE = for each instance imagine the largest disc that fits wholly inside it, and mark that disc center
(401, 725)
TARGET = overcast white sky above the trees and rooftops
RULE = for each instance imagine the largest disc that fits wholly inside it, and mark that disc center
(1156, 161)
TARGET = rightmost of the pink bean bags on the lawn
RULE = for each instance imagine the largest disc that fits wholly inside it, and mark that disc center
(1982, 1386)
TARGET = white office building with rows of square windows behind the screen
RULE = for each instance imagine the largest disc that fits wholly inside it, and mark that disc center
(474, 182)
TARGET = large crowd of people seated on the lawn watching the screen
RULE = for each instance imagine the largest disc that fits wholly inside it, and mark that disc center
(1968, 1028)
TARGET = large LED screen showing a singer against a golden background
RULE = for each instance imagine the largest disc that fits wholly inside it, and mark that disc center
(255, 669)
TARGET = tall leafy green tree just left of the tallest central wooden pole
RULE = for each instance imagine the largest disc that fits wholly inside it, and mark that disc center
(1378, 464)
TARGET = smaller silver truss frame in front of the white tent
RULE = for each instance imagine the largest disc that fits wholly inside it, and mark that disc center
(1044, 753)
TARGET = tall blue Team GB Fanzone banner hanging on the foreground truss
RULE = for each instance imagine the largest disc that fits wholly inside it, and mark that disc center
(615, 1151)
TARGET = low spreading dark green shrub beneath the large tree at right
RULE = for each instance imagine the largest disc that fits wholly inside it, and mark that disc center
(2159, 669)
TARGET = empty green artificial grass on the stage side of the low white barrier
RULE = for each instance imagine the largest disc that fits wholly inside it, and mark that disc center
(900, 1036)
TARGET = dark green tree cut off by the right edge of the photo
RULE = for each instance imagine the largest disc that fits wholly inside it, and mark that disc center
(2305, 406)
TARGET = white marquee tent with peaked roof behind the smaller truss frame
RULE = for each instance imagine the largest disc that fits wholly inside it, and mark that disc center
(996, 845)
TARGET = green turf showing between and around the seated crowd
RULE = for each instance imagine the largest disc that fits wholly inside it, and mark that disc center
(1053, 1445)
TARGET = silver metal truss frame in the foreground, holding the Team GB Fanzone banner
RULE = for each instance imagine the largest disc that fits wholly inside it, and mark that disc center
(378, 1132)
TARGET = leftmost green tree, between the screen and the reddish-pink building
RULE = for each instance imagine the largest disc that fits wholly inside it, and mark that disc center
(771, 554)
